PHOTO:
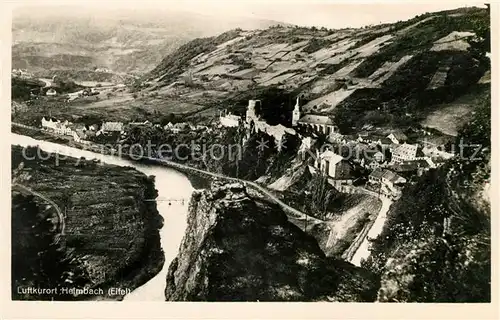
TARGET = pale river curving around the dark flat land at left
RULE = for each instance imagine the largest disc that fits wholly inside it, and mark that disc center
(170, 184)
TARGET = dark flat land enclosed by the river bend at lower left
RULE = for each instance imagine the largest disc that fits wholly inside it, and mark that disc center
(88, 221)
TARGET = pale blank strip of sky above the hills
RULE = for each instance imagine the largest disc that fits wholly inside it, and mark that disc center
(327, 13)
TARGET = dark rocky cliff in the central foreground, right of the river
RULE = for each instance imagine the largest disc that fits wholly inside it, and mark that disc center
(241, 248)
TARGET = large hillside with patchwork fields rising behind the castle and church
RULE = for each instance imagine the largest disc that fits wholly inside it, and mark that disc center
(389, 74)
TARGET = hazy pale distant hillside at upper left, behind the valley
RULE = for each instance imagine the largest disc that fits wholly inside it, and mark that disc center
(78, 38)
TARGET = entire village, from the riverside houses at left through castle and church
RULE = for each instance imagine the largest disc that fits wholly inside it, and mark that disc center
(387, 162)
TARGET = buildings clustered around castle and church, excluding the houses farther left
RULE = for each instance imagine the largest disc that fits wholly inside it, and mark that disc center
(390, 159)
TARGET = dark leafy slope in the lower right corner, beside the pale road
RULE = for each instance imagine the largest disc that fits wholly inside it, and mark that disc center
(436, 246)
